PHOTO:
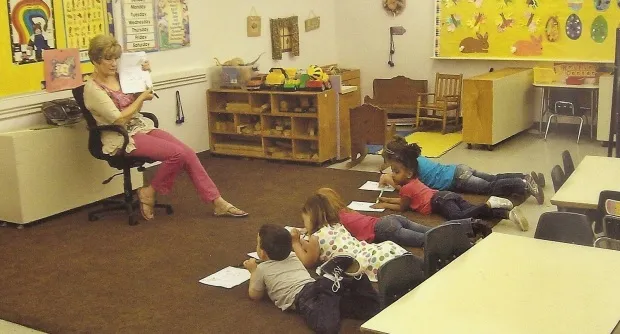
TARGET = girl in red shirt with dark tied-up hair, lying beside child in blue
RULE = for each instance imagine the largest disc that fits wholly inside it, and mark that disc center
(416, 196)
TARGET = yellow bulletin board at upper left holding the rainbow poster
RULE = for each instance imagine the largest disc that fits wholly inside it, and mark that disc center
(27, 26)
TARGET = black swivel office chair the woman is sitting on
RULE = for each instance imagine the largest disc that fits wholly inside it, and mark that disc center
(119, 161)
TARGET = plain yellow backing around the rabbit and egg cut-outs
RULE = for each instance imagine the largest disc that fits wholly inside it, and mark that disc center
(501, 43)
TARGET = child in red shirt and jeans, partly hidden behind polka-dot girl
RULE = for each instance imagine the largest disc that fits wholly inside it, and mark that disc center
(395, 228)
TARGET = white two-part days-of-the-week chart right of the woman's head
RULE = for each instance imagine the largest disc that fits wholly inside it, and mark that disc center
(153, 25)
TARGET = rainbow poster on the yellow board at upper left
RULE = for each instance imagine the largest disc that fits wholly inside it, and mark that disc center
(31, 25)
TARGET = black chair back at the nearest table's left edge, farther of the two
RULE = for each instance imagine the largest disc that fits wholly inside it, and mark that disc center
(443, 244)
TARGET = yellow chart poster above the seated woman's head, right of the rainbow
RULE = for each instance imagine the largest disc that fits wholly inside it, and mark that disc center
(85, 19)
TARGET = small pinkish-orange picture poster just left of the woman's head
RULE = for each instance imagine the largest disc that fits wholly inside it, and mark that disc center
(61, 69)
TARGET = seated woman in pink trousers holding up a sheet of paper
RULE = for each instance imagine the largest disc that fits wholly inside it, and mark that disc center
(108, 105)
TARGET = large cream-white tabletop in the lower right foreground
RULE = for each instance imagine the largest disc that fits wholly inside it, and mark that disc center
(512, 284)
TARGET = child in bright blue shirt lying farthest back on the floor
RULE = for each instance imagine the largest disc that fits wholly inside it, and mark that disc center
(464, 179)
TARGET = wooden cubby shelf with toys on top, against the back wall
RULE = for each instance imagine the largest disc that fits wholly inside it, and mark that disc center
(296, 126)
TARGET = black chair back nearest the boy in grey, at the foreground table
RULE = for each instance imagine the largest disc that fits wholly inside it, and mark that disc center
(399, 276)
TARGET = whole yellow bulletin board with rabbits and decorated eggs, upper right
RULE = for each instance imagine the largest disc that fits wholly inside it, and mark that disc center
(542, 30)
